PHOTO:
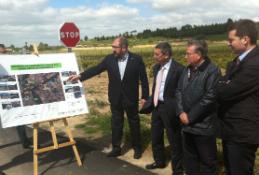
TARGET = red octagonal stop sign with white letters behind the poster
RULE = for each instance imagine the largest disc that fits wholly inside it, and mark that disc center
(69, 34)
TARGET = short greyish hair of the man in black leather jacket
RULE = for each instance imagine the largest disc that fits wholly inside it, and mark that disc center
(201, 46)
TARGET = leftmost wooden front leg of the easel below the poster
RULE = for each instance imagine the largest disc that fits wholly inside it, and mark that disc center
(35, 148)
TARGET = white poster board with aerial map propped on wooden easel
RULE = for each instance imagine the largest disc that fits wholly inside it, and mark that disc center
(35, 88)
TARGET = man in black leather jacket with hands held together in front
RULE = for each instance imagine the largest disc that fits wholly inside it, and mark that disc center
(196, 107)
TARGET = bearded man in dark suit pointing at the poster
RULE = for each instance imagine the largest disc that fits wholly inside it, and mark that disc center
(125, 70)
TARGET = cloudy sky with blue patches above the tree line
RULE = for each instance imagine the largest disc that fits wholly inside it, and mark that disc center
(35, 21)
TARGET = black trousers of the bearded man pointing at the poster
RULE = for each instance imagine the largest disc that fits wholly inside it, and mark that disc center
(117, 122)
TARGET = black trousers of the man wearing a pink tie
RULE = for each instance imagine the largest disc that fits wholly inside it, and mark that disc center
(161, 121)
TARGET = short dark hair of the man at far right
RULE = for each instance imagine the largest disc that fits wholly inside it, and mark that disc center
(245, 27)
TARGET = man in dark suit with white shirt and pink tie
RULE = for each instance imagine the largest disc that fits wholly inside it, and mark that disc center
(166, 75)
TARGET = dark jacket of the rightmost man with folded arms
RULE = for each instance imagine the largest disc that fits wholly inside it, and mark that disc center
(238, 97)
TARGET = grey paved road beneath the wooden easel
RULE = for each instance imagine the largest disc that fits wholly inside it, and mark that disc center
(15, 160)
